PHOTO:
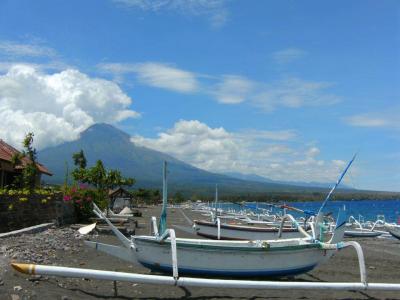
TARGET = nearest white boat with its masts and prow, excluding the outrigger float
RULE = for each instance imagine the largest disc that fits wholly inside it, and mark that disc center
(227, 258)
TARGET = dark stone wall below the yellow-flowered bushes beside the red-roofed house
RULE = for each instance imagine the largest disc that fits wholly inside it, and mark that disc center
(19, 211)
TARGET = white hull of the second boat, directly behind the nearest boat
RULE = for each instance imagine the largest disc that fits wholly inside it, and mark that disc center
(239, 232)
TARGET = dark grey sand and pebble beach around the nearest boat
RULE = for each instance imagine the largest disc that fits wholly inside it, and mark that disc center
(65, 247)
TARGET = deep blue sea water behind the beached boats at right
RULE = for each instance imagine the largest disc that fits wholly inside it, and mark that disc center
(365, 210)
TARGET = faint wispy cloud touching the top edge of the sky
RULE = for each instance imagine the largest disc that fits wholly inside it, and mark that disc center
(214, 10)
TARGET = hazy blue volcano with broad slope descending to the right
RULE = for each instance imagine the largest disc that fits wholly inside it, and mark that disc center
(115, 149)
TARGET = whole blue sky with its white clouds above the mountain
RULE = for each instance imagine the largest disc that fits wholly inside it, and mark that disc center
(284, 89)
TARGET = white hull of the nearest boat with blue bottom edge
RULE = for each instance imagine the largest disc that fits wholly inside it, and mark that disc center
(220, 260)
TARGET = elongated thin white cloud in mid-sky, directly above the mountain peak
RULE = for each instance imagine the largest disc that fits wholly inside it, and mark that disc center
(156, 74)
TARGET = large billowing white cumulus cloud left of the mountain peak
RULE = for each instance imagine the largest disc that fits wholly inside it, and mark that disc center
(58, 106)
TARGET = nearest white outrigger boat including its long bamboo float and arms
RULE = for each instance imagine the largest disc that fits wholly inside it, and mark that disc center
(224, 258)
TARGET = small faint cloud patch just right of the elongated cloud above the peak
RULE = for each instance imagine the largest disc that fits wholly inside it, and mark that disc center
(233, 89)
